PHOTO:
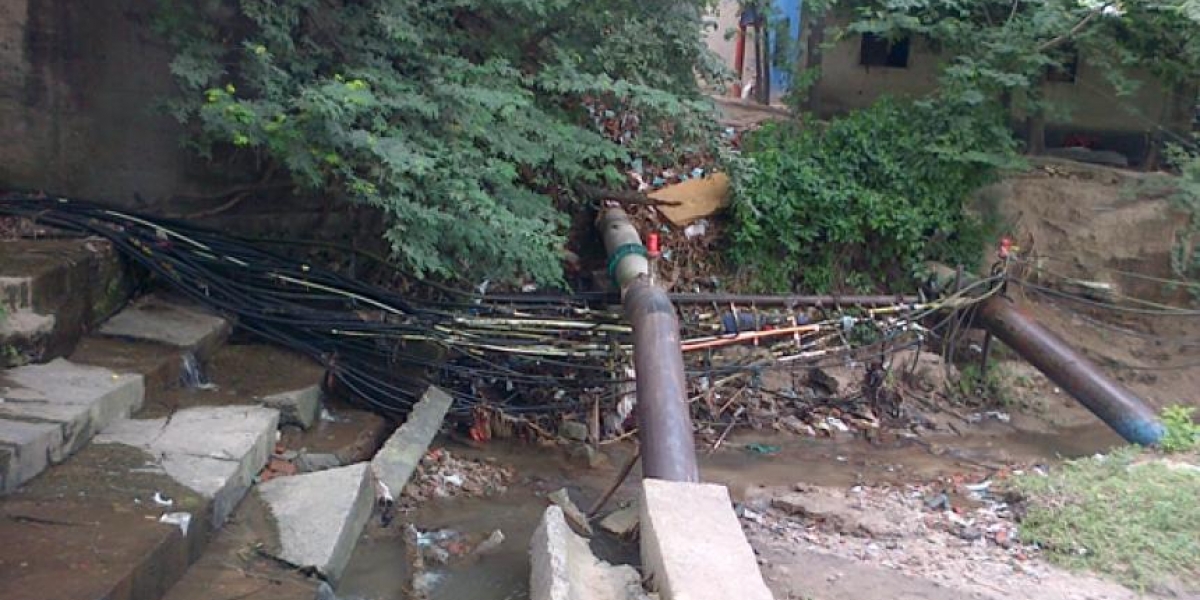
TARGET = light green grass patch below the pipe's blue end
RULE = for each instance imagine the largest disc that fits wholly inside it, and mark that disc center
(1127, 515)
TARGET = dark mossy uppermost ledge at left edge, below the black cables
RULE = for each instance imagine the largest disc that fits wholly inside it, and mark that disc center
(58, 290)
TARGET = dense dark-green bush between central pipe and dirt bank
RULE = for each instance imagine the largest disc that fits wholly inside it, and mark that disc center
(862, 203)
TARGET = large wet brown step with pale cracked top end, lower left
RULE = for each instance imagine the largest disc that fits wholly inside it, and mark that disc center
(124, 518)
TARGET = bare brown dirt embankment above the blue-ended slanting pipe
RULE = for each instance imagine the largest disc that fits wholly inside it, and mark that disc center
(1118, 231)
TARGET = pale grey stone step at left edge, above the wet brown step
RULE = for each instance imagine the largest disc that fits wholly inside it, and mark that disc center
(52, 411)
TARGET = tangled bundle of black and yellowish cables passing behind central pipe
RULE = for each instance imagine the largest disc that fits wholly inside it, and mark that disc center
(515, 358)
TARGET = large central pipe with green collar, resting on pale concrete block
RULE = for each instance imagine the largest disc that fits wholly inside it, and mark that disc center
(669, 451)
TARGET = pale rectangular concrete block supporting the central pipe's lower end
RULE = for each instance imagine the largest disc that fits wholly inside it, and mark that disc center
(694, 548)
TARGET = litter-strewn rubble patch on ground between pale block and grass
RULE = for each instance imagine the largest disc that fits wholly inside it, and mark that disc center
(944, 532)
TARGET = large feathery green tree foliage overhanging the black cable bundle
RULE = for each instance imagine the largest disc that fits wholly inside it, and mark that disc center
(458, 118)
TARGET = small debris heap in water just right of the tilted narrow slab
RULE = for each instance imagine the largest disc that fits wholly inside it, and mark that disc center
(443, 476)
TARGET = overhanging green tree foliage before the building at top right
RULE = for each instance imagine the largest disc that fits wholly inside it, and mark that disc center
(1006, 50)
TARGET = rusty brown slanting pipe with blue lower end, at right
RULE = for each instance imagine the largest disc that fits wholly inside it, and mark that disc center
(1117, 406)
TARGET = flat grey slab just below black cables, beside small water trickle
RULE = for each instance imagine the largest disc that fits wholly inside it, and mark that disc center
(159, 321)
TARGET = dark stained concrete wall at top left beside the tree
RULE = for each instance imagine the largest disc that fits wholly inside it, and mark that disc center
(79, 87)
